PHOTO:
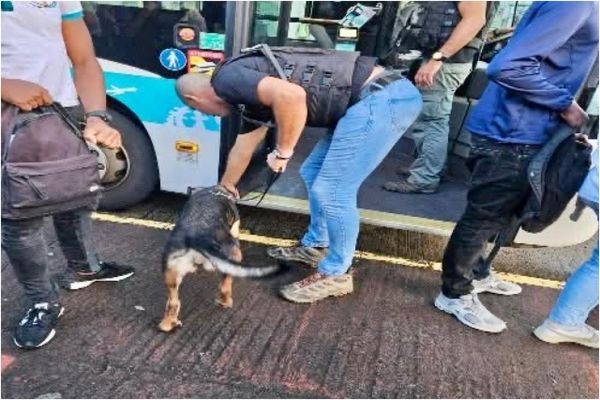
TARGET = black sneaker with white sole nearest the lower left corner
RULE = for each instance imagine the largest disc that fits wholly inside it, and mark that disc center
(37, 326)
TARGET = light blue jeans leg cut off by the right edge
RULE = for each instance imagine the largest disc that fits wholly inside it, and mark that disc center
(580, 294)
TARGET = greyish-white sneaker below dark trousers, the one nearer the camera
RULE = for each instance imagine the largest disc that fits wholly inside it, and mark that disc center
(469, 310)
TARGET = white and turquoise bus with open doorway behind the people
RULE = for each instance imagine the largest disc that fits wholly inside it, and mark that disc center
(143, 46)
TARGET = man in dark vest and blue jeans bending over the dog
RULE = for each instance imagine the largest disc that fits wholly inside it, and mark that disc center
(368, 107)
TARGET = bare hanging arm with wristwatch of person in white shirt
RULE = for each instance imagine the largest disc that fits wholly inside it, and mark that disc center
(89, 81)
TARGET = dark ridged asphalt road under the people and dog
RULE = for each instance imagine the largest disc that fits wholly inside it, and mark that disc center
(386, 340)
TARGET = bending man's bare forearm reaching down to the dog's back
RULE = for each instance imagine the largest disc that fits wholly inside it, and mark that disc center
(240, 156)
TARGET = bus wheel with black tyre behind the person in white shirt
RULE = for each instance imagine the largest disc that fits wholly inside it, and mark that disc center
(130, 173)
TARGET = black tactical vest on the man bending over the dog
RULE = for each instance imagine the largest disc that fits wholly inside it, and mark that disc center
(325, 75)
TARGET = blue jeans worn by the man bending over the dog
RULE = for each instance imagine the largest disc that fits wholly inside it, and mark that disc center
(339, 163)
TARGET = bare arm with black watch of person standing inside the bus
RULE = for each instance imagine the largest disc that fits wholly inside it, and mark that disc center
(471, 22)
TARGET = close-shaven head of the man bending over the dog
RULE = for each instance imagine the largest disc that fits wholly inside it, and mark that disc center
(196, 91)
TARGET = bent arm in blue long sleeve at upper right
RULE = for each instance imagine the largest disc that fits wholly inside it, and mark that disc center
(517, 66)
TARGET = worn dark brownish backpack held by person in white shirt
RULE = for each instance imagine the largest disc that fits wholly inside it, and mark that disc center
(46, 165)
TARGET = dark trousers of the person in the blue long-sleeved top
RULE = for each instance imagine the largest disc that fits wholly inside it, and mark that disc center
(499, 187)
